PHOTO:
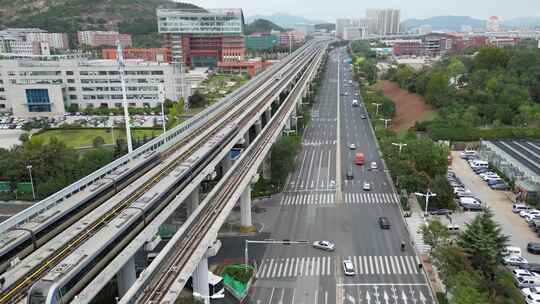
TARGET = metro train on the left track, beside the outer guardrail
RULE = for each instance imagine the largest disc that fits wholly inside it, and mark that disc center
(19, 242)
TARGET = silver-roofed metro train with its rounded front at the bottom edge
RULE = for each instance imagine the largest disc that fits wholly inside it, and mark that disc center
(65, 280)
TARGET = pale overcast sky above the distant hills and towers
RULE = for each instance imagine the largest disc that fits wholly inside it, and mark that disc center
(331, 9)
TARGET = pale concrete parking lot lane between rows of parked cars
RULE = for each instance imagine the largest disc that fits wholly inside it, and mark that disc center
(500, 202)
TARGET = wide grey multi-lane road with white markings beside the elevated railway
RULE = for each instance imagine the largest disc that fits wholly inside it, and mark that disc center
(320, 203)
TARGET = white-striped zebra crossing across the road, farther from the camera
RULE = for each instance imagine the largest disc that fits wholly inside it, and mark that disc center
(326, 198)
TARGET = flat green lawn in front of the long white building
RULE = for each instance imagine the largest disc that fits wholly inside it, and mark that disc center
(75, 138)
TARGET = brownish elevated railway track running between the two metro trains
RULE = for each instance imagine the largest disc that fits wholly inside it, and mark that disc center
(17, 291)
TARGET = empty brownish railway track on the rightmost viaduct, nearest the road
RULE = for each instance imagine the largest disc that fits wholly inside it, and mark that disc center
(207, 217)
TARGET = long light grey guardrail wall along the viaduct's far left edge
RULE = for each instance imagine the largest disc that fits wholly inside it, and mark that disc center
(160, 143)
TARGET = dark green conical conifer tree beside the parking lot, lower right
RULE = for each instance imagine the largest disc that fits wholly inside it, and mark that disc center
(483, 242)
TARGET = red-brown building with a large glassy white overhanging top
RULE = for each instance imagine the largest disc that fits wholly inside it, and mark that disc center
(202, 37)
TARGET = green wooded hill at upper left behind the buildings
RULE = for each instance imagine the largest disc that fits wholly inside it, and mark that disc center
(136, 17)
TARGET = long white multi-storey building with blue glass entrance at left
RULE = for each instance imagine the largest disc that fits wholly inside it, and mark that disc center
(42, 88)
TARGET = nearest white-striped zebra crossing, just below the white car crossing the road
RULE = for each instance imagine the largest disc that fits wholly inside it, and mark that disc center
(325, 265)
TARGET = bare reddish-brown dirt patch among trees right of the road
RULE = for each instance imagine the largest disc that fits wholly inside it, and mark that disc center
(409, 107)
